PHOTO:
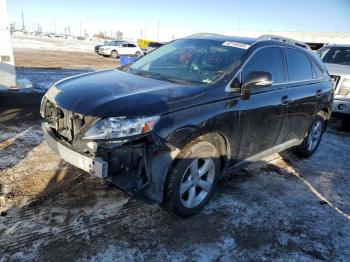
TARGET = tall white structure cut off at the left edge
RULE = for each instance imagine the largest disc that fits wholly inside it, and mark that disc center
(7, 64)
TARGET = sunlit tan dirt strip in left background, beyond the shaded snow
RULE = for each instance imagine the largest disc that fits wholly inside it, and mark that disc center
(43, 58)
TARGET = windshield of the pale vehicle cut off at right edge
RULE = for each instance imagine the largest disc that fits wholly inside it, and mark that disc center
(335, 55)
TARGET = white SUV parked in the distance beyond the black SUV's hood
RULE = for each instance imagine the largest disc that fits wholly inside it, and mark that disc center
(121, 48)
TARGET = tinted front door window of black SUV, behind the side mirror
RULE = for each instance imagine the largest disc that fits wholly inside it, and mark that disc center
(267, 60)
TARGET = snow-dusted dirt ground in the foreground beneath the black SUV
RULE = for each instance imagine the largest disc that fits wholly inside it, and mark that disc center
(282, 209)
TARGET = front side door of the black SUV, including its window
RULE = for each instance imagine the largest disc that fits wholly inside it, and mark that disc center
(262, 116)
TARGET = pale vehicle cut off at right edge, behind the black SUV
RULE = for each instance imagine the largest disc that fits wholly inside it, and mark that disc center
(337, 61)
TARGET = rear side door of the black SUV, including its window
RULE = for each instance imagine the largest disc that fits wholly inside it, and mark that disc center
(306, 90)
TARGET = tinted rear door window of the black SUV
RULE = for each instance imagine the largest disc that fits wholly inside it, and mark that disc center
(299, 66)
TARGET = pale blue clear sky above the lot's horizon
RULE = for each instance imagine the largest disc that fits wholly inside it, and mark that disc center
(180, 17)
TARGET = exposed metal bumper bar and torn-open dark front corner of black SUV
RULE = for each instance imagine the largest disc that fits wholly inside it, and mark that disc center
(138, 168)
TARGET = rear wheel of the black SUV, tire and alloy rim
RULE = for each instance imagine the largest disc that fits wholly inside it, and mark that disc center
(312, 139)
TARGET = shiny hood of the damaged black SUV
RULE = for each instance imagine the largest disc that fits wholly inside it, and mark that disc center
(116, 93)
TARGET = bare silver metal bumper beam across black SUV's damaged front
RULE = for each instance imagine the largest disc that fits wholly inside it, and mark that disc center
(95, 166)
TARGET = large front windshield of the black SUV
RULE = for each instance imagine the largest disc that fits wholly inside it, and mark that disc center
(191, 60)
